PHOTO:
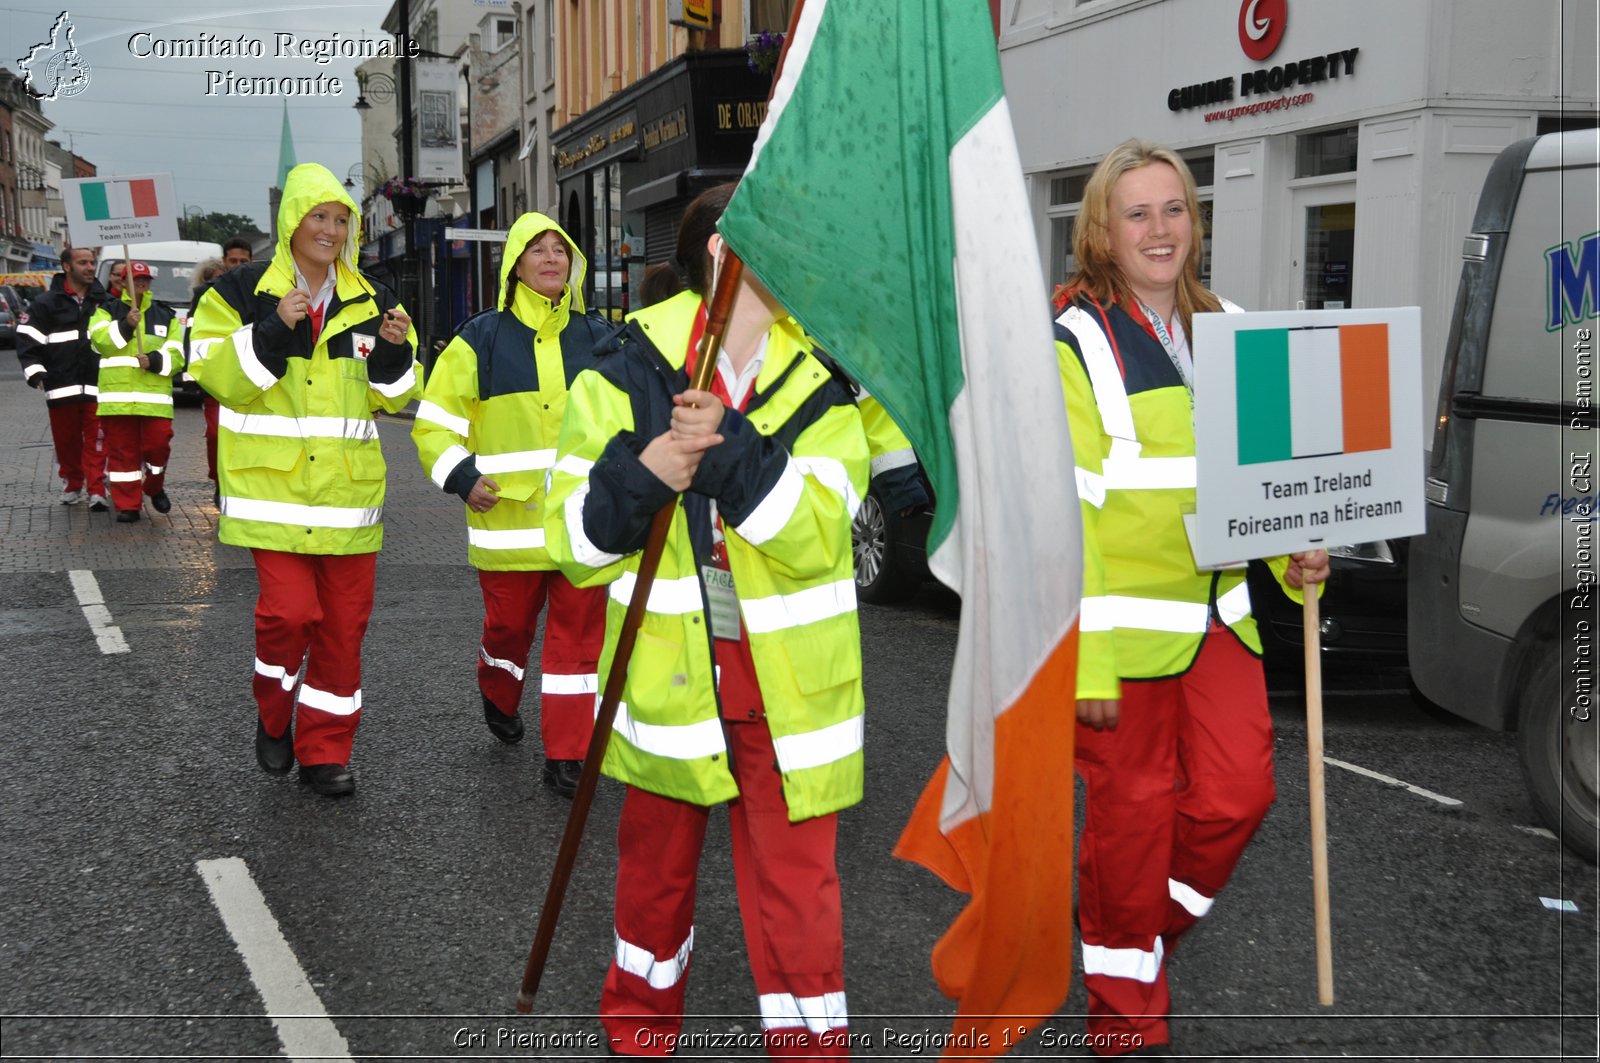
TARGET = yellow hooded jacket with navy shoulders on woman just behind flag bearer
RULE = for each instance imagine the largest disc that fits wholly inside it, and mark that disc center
(495, 399)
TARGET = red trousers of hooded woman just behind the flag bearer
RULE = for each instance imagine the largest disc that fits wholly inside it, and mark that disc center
(574, 636)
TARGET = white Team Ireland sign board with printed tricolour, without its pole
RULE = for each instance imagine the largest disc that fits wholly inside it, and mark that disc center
(1306, 430)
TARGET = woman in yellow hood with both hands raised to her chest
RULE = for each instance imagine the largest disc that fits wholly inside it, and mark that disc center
(300, 351)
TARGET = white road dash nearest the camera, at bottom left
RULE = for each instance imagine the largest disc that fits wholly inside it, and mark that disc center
(294, 1006)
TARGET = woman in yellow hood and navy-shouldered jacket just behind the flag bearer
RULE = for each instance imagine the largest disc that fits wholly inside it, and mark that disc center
(486, 433)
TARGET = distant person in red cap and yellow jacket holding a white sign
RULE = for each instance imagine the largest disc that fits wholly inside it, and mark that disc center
(140, 353)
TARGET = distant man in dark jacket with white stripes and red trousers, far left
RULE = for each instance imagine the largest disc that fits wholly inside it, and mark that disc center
(54, 347)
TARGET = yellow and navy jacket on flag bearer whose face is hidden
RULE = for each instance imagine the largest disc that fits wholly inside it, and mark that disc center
(786, 481)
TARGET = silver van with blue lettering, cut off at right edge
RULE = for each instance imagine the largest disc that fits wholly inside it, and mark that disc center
(1505, 612)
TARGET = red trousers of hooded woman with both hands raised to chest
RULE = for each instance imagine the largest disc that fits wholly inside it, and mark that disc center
(313, 611)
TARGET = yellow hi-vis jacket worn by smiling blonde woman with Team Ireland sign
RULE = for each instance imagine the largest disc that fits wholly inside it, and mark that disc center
(1146, 608)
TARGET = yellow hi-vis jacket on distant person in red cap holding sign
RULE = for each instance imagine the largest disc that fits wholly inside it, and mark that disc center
(124, 387)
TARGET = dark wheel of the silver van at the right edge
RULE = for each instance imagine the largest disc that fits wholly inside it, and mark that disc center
(1556, 739)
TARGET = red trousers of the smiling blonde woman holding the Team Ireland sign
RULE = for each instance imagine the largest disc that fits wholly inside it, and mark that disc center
(1174, 796)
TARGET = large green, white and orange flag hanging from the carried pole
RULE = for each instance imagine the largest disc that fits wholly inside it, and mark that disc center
(886, 207)
